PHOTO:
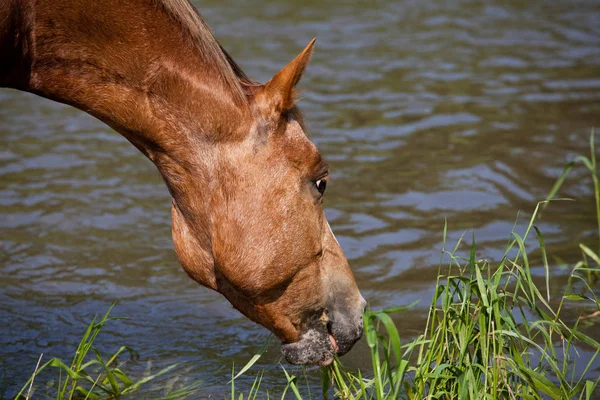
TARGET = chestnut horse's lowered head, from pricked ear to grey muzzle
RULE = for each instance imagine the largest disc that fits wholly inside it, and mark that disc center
(271, 250)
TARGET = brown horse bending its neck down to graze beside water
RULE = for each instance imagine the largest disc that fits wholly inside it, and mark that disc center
(247, 183)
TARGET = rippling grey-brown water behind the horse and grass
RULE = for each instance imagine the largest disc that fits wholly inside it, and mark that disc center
(425, 111)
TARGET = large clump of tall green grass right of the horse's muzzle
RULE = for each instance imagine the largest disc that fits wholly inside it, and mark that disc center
(491, 333)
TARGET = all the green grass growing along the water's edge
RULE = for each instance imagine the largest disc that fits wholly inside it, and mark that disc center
(493, 331)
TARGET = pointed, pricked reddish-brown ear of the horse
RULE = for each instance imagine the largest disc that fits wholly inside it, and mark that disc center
(280, 90)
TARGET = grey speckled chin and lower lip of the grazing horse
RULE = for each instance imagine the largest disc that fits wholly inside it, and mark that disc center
(315, 347)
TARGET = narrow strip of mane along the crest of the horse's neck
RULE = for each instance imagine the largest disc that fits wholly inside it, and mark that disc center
(192, 22)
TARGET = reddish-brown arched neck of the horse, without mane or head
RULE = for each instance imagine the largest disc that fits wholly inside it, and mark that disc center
(128, 63)
